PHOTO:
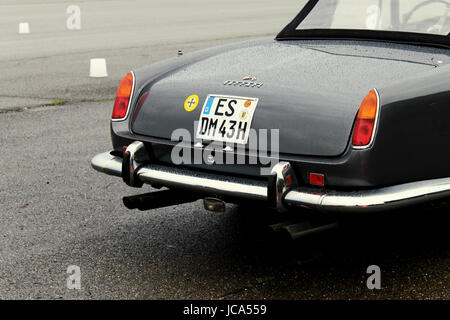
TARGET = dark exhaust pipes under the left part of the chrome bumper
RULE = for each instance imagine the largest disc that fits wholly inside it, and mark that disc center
(158, 199)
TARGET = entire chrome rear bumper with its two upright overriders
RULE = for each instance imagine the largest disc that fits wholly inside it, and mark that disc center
(284, 196)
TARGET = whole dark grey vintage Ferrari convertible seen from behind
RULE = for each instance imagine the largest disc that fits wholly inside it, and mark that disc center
(347, 109)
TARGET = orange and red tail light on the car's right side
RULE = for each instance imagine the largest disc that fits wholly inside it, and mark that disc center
(366, 120)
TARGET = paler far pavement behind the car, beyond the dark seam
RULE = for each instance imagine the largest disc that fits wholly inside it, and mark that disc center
(51, 64)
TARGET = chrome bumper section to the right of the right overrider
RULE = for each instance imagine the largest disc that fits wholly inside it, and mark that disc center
(370, 200)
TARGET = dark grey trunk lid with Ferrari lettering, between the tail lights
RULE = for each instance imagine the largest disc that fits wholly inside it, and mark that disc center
(311, 90)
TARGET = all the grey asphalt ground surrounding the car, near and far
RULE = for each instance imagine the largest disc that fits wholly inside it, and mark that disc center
(56, 211)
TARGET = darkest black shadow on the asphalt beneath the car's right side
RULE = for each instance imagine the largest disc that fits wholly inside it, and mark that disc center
(405, 232)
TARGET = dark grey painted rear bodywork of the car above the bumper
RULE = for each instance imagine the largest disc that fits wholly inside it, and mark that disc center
(312, 90)
